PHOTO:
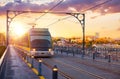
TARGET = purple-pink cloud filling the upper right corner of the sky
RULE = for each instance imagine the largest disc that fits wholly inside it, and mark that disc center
(111, 6)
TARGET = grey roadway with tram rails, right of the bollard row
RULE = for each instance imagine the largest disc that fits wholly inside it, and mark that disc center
(74, 67)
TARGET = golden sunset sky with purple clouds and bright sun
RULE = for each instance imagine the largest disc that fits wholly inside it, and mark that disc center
(103, 19)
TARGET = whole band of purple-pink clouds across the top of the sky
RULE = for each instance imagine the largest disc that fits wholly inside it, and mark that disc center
(78, 5)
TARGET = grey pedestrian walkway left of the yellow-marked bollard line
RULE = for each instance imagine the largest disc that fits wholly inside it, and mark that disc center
(16, 68)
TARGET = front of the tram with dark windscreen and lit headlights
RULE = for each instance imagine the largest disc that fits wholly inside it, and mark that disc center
(40, 42)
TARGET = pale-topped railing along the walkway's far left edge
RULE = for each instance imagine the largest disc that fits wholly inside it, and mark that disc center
(2, 63)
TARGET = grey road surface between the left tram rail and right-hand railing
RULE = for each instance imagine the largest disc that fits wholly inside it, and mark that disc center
(77, 68)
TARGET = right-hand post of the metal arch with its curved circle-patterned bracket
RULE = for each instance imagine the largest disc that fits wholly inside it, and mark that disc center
(81, 18)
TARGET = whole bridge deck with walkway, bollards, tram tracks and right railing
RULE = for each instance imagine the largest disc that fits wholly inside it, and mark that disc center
(16, 64)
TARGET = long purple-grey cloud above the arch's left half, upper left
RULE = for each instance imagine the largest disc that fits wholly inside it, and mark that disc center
(22, 7)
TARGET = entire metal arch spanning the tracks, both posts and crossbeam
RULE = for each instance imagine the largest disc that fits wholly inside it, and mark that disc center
(79, 16)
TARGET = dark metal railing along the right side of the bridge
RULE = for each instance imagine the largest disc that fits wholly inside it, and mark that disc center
(100, 53)
